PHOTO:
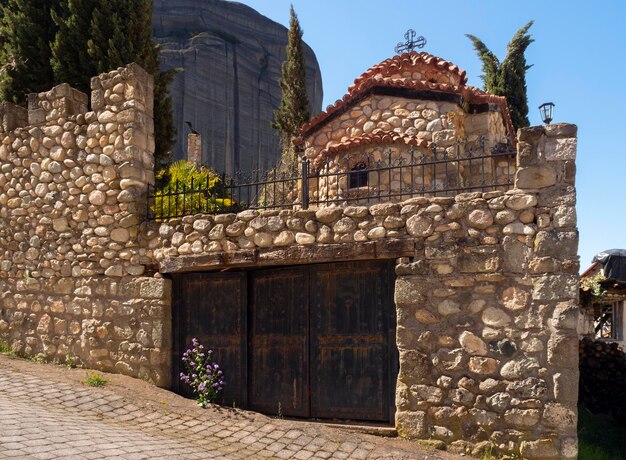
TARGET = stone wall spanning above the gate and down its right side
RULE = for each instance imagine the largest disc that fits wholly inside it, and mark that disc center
(486, 295)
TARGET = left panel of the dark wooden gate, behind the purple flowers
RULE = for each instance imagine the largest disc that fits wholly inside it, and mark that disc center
(212, 308)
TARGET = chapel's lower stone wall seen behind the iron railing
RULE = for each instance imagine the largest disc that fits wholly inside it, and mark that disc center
(412, 171)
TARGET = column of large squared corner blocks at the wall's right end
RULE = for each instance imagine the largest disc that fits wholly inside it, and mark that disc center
(546, 159)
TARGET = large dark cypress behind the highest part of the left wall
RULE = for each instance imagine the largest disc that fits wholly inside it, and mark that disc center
(97, 36)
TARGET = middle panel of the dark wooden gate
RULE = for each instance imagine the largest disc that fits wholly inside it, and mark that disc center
(278, 342)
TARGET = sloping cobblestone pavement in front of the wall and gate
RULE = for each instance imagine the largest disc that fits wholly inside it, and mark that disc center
(44, 414)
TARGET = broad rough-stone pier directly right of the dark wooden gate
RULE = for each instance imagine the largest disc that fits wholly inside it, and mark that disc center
(487, 316)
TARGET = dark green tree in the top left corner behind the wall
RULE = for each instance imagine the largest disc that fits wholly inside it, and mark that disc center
(26, 30)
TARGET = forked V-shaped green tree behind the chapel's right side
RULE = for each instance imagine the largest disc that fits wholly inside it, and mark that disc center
(508, 78)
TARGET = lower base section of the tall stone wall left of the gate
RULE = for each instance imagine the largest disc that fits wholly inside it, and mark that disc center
(120, 325)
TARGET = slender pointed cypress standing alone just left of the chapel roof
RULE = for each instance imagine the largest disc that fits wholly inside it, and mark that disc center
(293, 111)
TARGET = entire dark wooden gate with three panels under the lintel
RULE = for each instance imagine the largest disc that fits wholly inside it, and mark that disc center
(314, 341)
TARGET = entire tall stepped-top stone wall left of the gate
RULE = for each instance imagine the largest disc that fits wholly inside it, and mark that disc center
(72, 198)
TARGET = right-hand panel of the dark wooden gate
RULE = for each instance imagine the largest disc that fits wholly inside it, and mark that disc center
(351, 358)
